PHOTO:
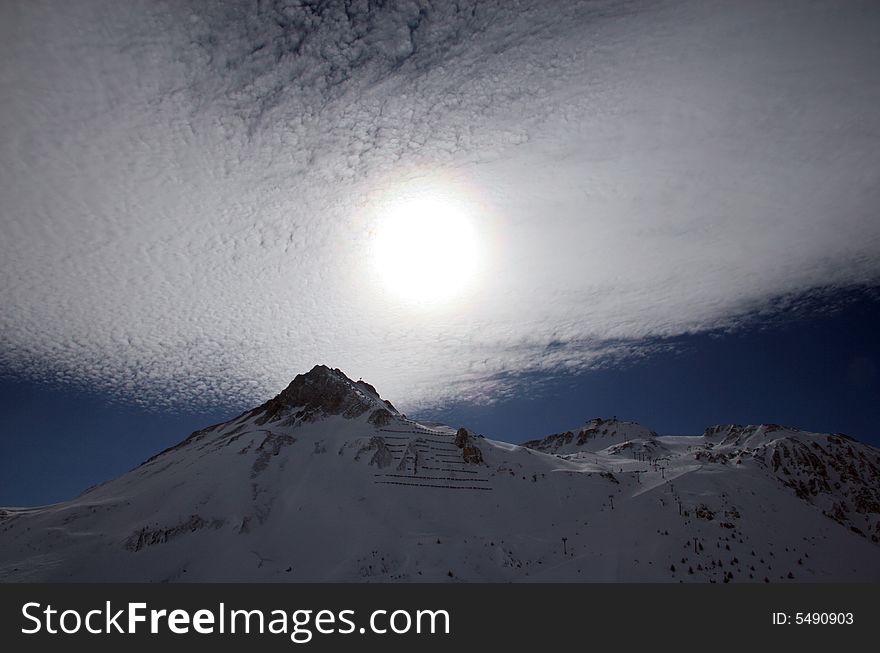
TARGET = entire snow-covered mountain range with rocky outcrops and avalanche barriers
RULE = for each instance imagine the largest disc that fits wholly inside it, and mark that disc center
(328, 482)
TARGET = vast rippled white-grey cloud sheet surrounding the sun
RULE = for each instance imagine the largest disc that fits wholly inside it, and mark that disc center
(186, 186)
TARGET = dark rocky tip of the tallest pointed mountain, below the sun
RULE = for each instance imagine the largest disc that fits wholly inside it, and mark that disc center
(319, 392)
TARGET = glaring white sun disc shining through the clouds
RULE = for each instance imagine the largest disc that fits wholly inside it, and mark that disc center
(425, 248)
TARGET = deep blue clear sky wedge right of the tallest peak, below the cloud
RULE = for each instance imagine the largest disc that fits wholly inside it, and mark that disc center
(818, 372)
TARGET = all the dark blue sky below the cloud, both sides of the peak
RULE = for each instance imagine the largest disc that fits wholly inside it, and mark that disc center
(817, 371)
